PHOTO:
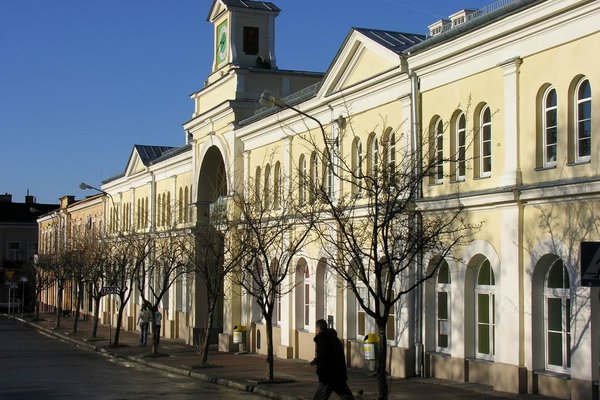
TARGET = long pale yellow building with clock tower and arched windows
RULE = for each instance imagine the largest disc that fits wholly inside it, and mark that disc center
(504, 96)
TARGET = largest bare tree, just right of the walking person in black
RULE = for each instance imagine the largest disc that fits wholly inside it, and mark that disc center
(375, 231)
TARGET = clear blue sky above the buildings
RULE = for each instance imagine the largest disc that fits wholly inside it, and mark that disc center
(82, 81)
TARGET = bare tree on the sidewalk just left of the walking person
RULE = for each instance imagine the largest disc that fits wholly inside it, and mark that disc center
(273, 227)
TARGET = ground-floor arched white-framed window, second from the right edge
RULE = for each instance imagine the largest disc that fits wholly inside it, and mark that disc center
(485, 311)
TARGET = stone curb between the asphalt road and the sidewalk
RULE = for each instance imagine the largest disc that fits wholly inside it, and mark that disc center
(152, 364)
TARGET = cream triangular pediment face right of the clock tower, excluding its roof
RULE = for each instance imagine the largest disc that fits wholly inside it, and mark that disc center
(359, 60)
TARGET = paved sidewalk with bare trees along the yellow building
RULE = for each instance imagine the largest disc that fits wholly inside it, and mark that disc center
(245, 372)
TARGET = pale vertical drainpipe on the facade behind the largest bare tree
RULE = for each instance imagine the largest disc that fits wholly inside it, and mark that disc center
(416, 151)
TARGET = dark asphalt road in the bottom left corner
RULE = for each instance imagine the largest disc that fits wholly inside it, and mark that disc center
(33, 366)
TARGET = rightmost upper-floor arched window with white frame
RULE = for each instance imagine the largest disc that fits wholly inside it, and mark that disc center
(583, 120)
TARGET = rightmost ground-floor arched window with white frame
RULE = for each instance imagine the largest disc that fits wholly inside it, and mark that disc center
(557, 318)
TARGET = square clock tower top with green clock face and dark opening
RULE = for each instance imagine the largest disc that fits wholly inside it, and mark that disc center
(244, 33)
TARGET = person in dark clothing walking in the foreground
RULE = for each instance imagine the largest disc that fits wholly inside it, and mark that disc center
(331, 364)
